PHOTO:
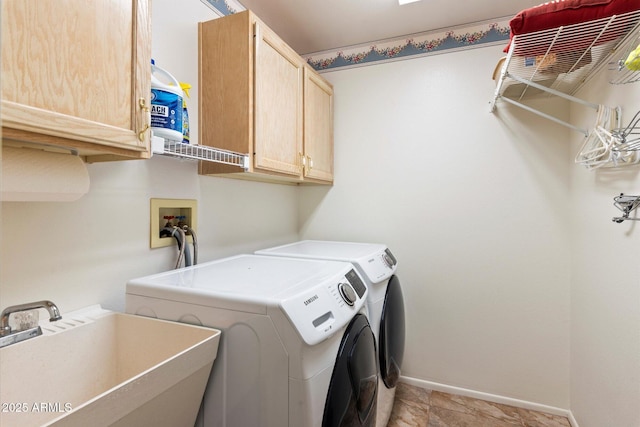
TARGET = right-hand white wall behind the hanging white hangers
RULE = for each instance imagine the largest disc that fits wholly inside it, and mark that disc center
(605, 285)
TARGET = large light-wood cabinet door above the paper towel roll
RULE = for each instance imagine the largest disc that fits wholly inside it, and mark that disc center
(75, 73)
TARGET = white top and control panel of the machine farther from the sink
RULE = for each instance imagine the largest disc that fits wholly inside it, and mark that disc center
(373, 260)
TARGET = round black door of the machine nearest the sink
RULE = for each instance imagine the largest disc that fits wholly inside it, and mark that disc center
(351, 400)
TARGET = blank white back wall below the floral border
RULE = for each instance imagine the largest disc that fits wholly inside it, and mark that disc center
(475, 207)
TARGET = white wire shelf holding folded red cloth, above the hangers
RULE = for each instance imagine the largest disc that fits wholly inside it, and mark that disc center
(559, 61)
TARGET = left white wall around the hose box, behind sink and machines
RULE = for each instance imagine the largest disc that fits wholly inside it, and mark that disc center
(82, 253)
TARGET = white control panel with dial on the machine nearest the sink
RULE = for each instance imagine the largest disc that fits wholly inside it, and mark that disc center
(322, 310)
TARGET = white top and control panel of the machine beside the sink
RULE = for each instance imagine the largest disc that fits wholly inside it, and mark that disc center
(309, 292)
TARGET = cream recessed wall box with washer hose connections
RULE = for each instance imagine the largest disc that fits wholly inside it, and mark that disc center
(170, 213)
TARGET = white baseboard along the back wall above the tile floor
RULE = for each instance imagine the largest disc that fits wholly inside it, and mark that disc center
(491, 398)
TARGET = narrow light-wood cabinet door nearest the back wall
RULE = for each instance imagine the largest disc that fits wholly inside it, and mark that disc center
(318, 127)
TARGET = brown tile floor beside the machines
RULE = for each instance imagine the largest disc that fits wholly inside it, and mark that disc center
(417, 407)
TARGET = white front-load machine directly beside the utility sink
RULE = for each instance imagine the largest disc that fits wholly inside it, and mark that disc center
(296, 348)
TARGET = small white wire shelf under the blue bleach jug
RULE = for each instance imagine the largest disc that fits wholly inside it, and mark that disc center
(199, 152)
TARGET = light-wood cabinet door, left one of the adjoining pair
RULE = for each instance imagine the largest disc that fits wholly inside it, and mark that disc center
(278, 104)
